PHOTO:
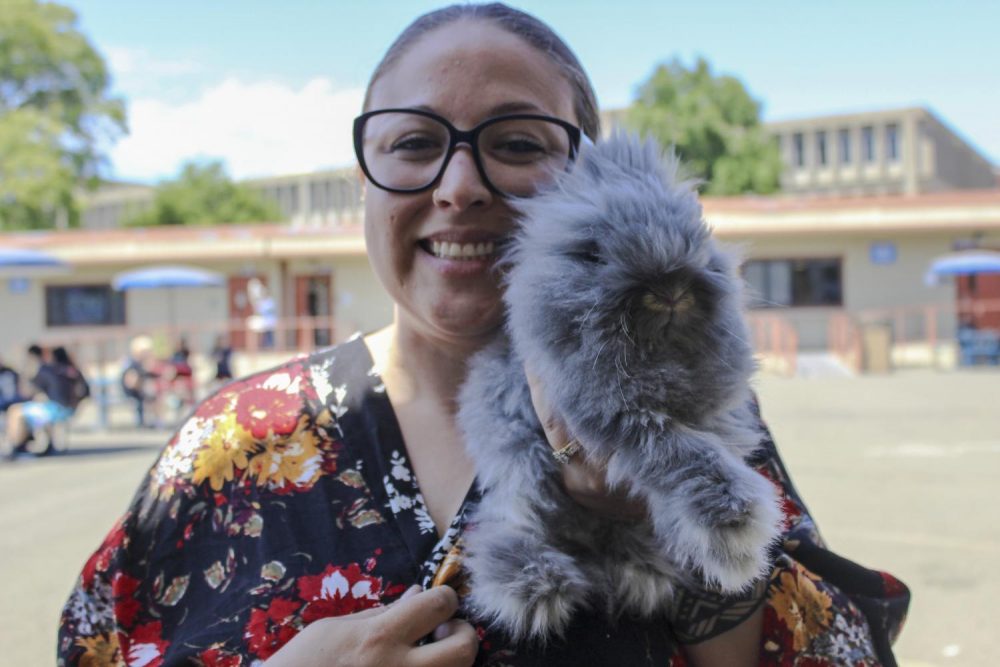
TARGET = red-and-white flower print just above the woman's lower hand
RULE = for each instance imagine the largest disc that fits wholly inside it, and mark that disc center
(338, 591)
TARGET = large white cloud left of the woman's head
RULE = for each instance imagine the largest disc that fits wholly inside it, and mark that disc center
(257, 128)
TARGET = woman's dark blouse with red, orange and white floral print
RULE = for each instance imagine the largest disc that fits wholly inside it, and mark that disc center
(288, 497)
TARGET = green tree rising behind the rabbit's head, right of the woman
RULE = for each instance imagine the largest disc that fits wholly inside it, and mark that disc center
(713, 123)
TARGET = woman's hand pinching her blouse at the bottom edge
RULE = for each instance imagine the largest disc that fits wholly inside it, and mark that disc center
(387, 636)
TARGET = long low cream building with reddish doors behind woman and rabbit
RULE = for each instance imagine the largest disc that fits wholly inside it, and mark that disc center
(818, 268)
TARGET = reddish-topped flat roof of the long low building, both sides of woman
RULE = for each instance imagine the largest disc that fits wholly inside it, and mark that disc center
(745, 216)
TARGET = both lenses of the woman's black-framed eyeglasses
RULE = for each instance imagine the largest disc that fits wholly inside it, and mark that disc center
(406, 151)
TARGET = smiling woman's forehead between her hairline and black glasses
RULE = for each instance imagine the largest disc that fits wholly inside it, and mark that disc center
(470, 70)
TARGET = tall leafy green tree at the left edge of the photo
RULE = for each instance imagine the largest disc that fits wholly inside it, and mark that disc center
(56, 113)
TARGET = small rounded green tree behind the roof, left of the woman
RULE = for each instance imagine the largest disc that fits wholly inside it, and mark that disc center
(204, 194)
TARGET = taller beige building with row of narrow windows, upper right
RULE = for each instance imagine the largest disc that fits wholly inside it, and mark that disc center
(896, 151)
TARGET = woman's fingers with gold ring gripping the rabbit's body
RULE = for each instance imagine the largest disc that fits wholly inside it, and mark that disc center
(586, 484)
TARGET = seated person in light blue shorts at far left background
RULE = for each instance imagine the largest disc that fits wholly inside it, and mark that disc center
(60, 387)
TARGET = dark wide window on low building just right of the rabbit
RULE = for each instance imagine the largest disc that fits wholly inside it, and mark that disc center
(794, 282)
